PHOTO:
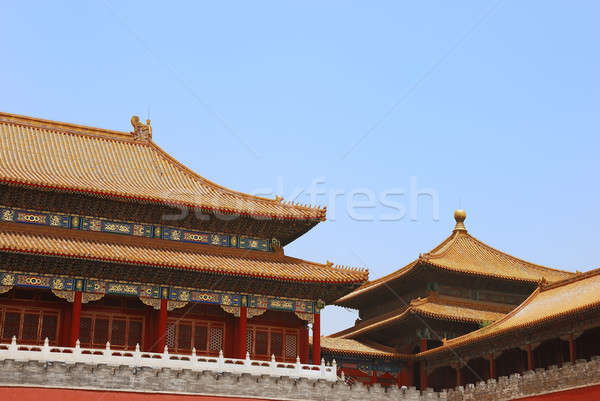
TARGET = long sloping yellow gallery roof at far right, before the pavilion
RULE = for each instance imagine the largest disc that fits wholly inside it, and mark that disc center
(549, 302)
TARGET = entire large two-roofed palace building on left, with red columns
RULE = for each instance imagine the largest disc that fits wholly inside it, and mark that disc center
(106, 238)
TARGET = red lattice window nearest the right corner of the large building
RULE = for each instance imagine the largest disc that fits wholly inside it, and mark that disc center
(262, 342)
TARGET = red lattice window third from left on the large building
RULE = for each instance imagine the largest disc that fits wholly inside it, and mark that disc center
(185, 334)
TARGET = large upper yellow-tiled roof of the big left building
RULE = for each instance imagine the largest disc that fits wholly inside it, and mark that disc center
(49, 154)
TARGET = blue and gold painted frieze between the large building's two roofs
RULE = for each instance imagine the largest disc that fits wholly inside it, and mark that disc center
(86, 223)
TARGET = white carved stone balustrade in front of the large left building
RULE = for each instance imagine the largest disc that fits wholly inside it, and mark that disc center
(193, 362)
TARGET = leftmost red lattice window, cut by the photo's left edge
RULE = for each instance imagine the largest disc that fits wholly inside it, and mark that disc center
(30, 326)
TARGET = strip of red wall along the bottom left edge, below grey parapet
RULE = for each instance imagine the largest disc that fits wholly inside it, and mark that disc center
(55, 394)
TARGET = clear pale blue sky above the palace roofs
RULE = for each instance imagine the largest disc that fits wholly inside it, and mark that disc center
(491, 105)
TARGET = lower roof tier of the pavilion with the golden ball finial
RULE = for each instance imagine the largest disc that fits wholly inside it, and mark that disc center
(434, 307)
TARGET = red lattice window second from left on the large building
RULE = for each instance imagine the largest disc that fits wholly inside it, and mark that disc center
(122, 331)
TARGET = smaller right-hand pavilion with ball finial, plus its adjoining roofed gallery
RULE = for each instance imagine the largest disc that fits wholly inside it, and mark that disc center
(465, 312)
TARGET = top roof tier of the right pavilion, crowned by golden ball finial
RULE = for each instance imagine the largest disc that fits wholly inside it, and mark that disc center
(463, 253)
